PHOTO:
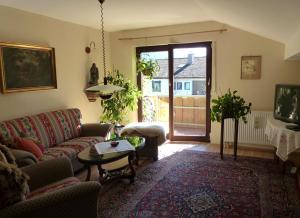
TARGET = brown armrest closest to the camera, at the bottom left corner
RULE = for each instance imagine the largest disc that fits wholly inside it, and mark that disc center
(79, 200)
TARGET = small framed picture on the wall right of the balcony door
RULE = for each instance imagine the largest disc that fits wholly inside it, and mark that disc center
(251, 67)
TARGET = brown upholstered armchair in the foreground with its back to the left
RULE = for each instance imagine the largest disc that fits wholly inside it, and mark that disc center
(57, 194)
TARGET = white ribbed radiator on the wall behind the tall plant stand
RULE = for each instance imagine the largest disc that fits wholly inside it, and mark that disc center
(251, 133)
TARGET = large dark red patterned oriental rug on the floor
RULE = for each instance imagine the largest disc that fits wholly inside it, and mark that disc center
(198, 184)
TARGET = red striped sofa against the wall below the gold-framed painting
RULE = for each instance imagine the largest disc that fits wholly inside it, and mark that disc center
(60, 132)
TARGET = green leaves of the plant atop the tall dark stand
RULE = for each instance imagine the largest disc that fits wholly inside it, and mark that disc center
(230, 105)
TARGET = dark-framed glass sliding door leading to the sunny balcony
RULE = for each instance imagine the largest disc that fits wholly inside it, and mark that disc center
(178, 96)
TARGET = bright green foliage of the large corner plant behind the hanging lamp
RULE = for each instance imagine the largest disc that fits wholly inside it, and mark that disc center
(116, 109)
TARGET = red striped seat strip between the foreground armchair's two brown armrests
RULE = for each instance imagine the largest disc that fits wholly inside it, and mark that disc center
(54, 186)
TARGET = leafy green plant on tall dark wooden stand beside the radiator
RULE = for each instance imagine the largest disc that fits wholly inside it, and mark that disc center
(230, 105)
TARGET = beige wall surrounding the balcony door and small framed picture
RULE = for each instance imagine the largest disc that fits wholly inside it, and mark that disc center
(228, 49)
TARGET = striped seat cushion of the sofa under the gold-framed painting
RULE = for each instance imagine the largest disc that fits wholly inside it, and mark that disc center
(70, 148)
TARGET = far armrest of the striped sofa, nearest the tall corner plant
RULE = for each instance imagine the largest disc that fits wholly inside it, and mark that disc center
(96, 129)
